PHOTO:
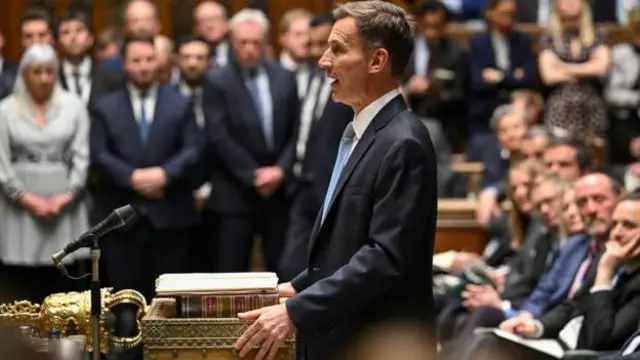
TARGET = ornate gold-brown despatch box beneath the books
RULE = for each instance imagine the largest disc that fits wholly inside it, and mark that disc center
(167, 337)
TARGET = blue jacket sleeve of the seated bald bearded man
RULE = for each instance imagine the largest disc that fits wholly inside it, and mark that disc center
(555, 285)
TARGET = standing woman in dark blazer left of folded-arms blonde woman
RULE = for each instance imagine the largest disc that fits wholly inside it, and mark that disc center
(501, 61)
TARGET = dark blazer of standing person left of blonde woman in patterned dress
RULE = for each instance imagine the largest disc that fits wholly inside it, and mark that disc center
(484, 97)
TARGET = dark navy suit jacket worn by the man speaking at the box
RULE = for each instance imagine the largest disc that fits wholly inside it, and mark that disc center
(370, 261)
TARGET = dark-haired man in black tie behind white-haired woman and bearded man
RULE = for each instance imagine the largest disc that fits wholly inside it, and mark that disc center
(78, 73)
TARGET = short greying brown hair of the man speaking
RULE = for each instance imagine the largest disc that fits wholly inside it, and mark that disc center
(383, 25)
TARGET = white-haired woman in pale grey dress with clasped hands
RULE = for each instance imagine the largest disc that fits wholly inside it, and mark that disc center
(44, 156)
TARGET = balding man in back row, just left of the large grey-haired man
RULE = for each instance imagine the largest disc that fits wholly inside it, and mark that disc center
(210, 23)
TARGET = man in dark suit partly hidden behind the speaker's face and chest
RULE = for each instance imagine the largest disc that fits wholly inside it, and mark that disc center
(322, 122)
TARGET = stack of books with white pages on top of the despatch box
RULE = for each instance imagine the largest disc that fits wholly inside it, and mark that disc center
(219, 295)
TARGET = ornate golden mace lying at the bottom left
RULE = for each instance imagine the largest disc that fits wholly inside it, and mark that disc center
(70, 313)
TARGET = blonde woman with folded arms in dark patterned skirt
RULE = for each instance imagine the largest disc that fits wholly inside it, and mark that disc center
(573, 58)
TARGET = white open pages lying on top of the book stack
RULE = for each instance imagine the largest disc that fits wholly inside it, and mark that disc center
(201, 283)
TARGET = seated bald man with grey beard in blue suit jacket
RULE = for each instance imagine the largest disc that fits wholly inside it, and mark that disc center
(596, 196)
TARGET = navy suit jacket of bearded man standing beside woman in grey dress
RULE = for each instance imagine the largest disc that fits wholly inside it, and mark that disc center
(174, 144)
